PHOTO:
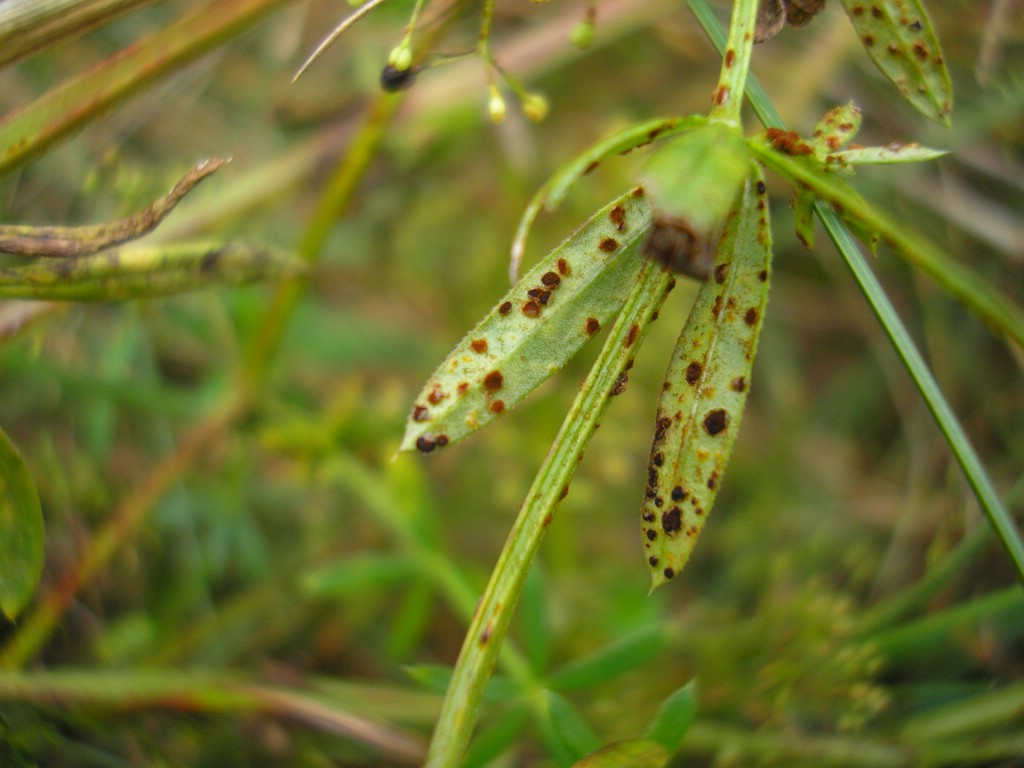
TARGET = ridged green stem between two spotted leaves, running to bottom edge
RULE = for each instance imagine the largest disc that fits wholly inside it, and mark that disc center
(491, 622)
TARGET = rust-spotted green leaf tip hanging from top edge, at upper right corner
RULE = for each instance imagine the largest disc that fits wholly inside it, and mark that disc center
(900, 38)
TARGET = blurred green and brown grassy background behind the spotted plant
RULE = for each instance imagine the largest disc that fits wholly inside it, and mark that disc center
(845, 599)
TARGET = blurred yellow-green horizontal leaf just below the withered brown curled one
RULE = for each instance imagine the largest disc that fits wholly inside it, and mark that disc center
(137, 272)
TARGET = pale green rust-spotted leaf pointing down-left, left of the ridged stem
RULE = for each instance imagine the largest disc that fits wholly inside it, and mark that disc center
(535, 329)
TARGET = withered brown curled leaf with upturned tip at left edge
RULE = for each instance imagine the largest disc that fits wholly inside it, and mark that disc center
(67, 242)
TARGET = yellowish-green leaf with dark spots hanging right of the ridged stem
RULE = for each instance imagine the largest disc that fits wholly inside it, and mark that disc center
(702, 403)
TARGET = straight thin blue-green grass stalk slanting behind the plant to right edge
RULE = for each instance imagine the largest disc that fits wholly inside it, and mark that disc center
(971, 465)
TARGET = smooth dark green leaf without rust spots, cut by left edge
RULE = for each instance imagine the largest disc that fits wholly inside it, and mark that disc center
(21, 531)
